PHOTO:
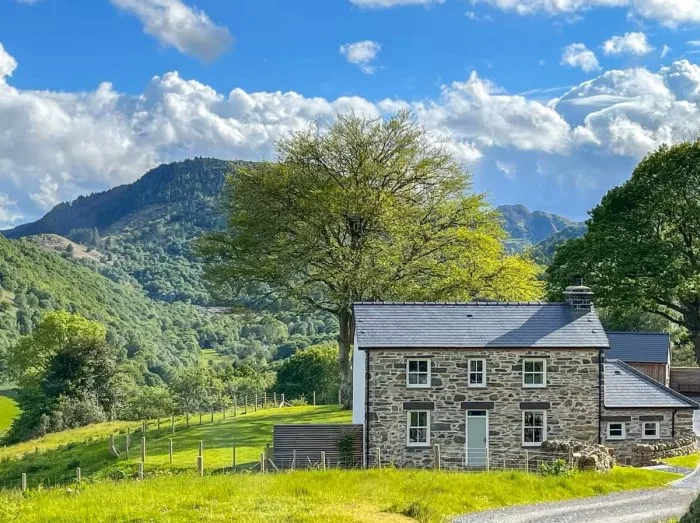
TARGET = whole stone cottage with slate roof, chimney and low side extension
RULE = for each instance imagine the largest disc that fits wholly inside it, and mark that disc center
(491, 381)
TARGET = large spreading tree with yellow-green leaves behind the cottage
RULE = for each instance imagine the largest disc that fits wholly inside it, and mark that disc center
(369, 209)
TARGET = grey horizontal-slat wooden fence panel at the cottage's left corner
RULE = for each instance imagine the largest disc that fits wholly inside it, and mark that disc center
(306, 442)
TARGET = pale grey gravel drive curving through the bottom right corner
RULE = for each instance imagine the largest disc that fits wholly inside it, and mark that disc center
(639, 506)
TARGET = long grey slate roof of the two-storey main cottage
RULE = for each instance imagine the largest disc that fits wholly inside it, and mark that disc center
(477, 324)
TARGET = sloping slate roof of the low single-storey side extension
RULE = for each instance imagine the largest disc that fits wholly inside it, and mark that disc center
(626, 387)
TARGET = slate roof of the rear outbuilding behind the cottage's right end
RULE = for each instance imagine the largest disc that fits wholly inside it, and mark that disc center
(639, 347)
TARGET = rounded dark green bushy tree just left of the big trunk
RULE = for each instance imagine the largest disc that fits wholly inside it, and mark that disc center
(308, 370)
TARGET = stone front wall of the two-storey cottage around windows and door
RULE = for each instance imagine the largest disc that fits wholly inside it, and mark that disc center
(572, 393)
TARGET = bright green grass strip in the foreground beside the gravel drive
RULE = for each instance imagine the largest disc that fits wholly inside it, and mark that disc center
(387, 495)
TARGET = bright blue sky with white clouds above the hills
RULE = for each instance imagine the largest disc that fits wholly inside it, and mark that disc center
(548, 103)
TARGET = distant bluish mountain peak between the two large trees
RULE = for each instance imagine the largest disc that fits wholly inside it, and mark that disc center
(526, 228)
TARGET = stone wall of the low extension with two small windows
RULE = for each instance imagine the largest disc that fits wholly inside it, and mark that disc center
(669, 430)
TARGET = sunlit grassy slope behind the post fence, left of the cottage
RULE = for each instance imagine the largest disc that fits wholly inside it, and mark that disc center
(53, 459)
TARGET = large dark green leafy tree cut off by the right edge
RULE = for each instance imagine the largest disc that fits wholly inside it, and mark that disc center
(642, 248)
